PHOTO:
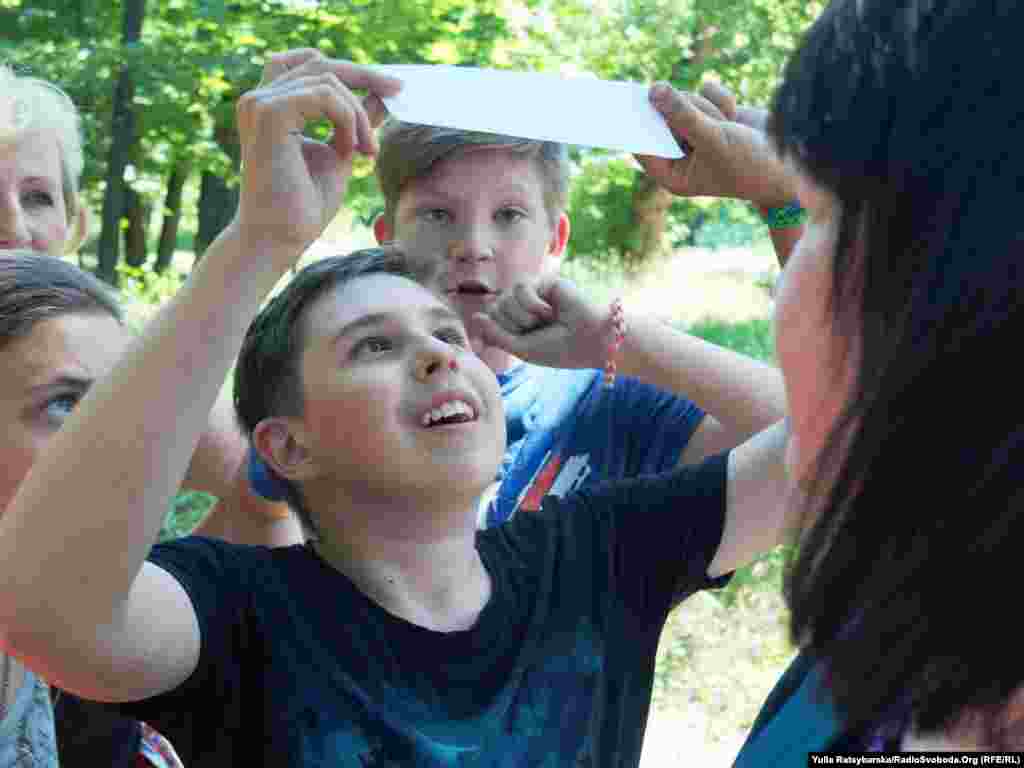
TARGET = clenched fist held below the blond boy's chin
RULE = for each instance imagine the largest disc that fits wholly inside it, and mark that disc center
(547, 322)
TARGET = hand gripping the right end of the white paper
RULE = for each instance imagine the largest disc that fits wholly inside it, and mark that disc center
(728, 152)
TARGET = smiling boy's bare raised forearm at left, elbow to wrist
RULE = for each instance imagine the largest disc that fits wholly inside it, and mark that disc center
(80, 542)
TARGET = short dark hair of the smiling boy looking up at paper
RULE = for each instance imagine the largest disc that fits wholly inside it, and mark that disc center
(268, 377)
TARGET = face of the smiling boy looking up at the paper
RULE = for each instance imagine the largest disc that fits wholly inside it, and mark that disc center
(396, 405)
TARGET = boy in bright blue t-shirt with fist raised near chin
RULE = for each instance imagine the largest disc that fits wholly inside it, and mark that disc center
(488, 214)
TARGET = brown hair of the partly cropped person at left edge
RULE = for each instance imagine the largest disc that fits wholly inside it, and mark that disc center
(36, 288)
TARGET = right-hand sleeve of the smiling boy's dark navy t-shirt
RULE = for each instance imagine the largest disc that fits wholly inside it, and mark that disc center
(658, 533)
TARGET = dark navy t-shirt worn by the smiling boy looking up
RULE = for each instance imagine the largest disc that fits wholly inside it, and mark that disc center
(298, 668)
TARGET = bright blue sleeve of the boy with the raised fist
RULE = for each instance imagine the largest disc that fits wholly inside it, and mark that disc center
(655, 424)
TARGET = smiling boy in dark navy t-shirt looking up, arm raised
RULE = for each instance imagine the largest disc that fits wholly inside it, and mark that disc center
(402, 636)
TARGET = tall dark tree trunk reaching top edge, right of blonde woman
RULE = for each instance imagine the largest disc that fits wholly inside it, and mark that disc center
(123, 135)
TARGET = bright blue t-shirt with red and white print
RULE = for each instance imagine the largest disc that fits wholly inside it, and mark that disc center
(568, 431)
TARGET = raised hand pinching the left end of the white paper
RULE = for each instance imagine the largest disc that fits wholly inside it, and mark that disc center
(293, 186)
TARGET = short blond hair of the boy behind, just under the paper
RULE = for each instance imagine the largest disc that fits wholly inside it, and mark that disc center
(410, 151)
